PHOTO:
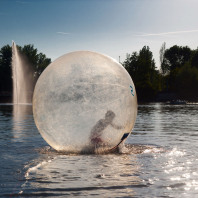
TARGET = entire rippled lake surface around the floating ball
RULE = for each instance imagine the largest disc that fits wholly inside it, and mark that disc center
(159, 160)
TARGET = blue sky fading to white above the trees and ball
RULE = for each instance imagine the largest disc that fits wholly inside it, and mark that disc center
(111, 27)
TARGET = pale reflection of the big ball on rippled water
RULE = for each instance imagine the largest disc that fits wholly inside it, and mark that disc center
(80, 174)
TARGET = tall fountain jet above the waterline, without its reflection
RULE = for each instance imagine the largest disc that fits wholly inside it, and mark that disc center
(22, 77)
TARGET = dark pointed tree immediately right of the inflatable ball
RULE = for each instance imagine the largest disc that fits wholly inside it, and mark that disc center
(141, 67)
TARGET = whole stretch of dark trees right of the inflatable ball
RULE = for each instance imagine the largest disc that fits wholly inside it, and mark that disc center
(178, 72)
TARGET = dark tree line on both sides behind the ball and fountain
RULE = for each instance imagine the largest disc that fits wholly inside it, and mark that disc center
(178, 72)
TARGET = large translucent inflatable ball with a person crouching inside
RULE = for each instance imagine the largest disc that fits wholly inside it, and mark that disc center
(84, 100)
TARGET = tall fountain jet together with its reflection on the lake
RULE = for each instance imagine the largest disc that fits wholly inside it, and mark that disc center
(23, 84)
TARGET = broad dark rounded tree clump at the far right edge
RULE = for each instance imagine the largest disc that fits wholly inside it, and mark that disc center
(180, 66)
